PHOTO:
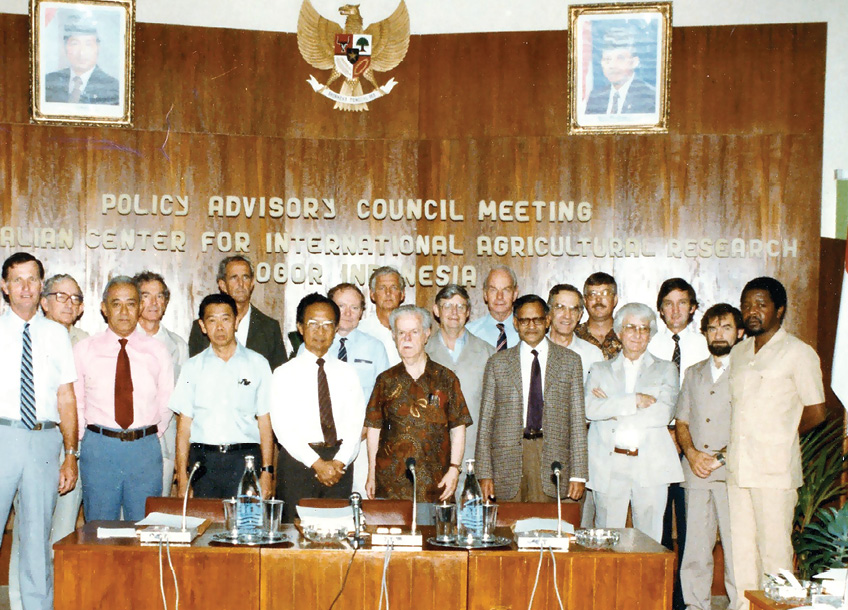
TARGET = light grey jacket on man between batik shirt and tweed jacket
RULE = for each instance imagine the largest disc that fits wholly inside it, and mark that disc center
(469, 368)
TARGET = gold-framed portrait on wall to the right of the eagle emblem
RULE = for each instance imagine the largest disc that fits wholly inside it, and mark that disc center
(619, 68)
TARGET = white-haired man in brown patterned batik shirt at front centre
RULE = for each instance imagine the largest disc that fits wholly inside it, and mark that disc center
(416, 410)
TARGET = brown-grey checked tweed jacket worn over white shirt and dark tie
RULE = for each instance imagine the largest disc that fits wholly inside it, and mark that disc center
(499, 435)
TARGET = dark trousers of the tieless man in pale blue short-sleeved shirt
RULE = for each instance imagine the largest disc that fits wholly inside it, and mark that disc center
(220, 473)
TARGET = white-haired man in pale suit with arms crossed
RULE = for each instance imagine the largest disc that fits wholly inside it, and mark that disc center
(630, 402)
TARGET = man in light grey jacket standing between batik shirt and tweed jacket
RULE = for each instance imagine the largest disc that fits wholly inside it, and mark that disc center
(454, 347)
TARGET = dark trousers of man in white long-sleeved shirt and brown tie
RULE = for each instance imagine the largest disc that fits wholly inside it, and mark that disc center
(296, 481)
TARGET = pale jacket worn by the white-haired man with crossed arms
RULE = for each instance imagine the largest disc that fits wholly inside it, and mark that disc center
(657, 462)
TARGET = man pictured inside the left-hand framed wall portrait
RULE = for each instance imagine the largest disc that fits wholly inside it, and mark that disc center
(84, 82)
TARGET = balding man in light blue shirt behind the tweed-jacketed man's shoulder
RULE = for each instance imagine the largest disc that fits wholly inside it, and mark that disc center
(499, 292)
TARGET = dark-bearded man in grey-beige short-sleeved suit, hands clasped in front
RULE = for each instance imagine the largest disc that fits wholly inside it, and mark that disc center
(703, 430)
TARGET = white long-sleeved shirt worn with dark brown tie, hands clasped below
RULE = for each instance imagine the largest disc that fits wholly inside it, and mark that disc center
(294, 407)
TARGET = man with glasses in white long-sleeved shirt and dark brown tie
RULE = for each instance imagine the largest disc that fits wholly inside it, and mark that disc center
(317, 411)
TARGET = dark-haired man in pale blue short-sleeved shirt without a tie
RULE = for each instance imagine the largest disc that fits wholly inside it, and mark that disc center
(222, 402)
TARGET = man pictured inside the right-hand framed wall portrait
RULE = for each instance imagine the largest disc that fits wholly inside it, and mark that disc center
(625, 94)
